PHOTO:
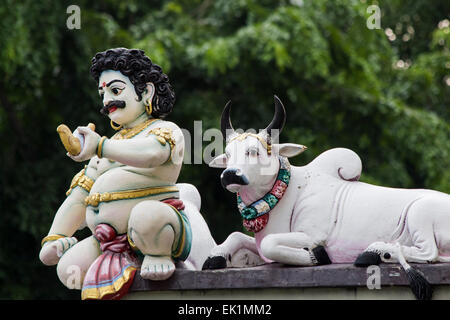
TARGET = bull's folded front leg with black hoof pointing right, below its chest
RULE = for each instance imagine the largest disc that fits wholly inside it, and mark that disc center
(294, 248)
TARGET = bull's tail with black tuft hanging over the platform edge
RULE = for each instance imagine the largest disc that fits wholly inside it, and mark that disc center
(421, 288)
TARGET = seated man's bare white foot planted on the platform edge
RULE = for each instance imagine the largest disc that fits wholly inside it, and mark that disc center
(157, 267)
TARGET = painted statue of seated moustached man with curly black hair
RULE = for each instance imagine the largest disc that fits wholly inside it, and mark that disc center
(127, 193)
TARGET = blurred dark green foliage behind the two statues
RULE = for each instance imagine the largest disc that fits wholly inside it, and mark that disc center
(382, 92)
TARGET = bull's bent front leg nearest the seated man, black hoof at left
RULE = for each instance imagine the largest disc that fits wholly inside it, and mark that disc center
(238, 250)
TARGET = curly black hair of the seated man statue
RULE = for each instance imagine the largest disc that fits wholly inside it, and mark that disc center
(134, 64)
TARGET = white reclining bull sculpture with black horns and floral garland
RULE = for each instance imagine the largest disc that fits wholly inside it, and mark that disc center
(320, 213)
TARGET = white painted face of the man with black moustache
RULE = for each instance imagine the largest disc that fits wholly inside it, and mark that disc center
(120, 101)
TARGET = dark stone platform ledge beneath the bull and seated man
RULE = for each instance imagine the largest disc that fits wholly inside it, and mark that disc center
(280, 276)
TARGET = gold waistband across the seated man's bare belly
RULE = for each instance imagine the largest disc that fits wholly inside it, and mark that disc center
(95, 198)
